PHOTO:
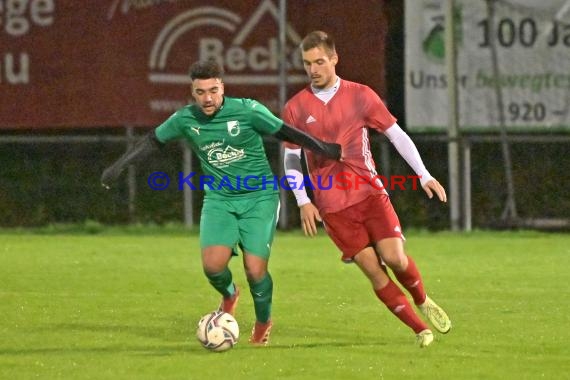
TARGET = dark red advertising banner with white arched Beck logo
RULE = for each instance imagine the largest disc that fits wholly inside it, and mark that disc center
(67, 63)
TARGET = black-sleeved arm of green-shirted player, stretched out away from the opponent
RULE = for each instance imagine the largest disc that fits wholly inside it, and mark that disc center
(141, 150)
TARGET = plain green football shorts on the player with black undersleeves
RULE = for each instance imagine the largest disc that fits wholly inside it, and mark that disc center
(249, 223)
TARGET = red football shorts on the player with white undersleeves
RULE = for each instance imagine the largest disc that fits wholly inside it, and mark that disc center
(363, 224)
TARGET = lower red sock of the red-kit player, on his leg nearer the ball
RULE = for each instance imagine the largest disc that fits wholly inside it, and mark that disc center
(396, 301)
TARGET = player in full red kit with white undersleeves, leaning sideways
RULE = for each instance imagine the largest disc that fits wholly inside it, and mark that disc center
(349, 195)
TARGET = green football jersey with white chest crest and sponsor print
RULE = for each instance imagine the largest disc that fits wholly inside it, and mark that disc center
(229, 145)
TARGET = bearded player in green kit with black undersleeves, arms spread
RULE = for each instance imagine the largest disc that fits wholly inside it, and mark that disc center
(241, 206)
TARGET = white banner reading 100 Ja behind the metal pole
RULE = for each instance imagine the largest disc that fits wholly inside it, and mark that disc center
(530, 76)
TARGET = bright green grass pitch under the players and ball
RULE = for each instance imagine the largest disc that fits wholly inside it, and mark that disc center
(124, 305)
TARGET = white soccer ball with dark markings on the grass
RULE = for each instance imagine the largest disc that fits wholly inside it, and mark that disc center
(218, 331)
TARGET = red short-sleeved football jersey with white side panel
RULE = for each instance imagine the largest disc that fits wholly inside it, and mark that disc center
(345, 119)
